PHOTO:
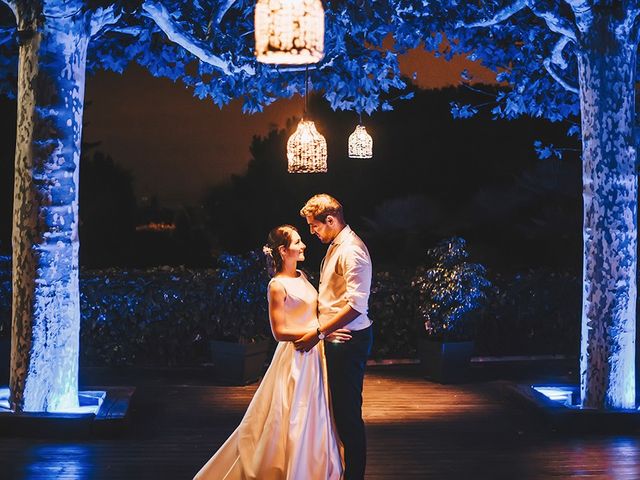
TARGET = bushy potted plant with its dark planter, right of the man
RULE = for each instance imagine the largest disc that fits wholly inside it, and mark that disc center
(449, 294)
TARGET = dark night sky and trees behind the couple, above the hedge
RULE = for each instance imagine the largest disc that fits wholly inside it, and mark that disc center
(431, 177)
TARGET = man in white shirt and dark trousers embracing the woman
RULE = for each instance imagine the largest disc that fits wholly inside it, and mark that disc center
(345, 282)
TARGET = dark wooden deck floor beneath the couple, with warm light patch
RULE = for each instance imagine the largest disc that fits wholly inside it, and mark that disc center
(415, 429)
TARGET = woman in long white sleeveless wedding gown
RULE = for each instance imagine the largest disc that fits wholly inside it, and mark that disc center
(288, 431)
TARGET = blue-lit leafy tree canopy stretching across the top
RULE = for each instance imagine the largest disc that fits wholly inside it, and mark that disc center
(359, 68)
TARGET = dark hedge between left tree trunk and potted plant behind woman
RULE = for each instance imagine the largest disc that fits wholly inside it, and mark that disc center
(155, 316)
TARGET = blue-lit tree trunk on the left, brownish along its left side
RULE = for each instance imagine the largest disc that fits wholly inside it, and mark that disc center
(46, 303)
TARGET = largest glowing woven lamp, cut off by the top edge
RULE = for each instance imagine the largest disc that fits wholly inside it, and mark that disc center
(289, 32)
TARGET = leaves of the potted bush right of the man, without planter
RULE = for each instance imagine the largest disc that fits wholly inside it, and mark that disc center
(450, 292)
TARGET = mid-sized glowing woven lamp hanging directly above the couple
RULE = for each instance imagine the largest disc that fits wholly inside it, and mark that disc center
(307, 150)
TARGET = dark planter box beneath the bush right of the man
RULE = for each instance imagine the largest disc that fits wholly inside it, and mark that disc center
(445, 362)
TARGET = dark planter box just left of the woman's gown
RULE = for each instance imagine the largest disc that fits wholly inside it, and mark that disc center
(238, 363)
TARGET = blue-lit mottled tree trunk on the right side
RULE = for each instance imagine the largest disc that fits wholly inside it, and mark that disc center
(607, 362)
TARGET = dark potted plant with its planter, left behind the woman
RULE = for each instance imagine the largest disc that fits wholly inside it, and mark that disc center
(240, 336)
